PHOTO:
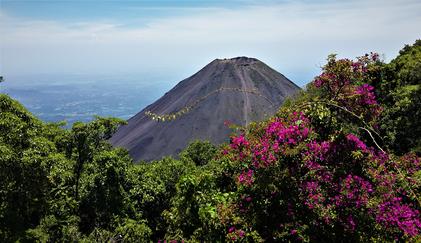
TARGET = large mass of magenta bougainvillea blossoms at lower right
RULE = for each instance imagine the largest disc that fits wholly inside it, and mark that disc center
(323, 188)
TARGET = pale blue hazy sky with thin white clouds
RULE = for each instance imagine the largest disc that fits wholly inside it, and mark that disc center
(179, 37)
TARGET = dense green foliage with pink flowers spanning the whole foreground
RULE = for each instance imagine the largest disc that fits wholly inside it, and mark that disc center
(340, 162)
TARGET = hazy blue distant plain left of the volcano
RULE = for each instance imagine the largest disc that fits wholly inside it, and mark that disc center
(72, 98)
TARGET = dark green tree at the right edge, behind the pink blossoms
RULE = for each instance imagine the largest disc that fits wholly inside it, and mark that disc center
(399, 92)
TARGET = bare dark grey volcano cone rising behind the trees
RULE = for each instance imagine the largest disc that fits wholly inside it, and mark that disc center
(239, 90)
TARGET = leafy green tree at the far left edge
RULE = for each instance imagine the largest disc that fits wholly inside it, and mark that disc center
(25, 158)
